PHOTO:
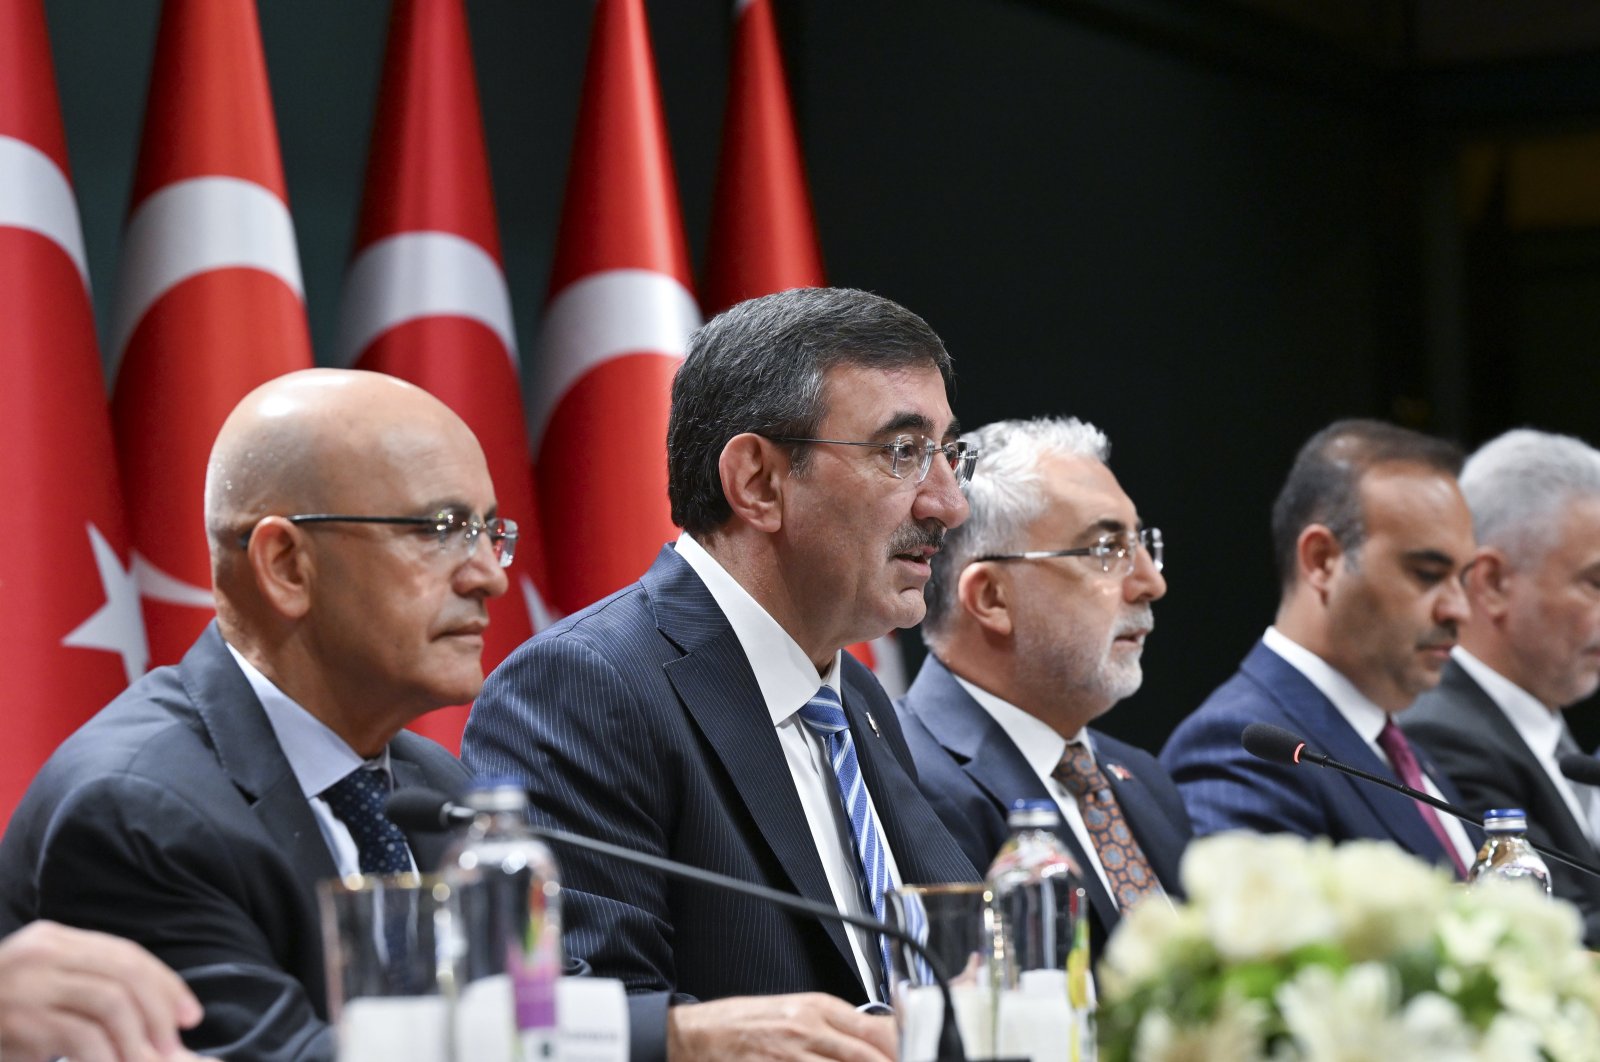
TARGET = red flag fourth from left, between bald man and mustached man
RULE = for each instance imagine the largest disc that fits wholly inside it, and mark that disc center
(615, 329)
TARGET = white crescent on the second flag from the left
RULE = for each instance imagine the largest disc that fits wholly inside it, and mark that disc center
(191, 228)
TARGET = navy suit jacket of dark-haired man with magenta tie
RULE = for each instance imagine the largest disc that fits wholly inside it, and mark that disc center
(1228, 789)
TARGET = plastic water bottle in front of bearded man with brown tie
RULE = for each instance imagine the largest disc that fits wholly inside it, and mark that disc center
(1042, 962)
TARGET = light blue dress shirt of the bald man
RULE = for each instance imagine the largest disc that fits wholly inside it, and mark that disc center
(318, 757)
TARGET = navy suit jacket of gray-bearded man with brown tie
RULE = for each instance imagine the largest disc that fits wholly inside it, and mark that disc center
(972, 772)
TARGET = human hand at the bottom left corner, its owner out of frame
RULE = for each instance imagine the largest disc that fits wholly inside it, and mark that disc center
(92, 997)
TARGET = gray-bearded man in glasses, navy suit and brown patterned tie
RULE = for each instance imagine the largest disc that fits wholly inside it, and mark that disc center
(1038, 615)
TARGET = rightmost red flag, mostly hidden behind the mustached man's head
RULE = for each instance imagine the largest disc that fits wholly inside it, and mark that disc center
(762, 228)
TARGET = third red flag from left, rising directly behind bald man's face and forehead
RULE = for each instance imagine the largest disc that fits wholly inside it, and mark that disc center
(426, 295)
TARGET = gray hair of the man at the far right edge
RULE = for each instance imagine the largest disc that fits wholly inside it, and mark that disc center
(1519, 484)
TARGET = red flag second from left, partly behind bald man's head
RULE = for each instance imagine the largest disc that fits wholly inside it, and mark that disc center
(209, 301)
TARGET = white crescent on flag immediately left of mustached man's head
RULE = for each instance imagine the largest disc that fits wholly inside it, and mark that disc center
(601, 317)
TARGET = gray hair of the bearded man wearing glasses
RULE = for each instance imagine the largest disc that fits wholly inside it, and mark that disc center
(1006, 495)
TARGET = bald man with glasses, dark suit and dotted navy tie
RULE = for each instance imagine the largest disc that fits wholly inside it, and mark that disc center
(354, 546)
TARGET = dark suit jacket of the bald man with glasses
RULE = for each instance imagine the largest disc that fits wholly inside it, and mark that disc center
(174, 820)
